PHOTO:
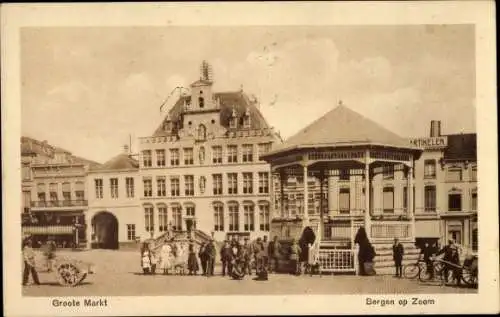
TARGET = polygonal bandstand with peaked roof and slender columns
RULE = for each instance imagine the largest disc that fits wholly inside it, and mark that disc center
(342, 172)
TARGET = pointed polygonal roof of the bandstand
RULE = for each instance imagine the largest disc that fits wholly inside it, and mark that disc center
(343, 127)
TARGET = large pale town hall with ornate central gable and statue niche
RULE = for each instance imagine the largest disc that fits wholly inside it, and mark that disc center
(201, 169)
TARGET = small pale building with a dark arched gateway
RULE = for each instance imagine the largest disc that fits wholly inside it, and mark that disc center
(114, 214)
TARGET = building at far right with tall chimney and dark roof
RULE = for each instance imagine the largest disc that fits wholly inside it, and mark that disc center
(446, 188)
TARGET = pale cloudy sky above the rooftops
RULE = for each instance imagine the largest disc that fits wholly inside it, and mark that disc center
(87, 89)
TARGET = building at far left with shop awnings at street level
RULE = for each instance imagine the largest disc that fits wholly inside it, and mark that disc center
(54, 195)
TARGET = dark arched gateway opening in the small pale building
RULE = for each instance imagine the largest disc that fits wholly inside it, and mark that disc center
(105, 231)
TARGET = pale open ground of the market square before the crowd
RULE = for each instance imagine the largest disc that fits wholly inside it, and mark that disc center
(118, 273)
